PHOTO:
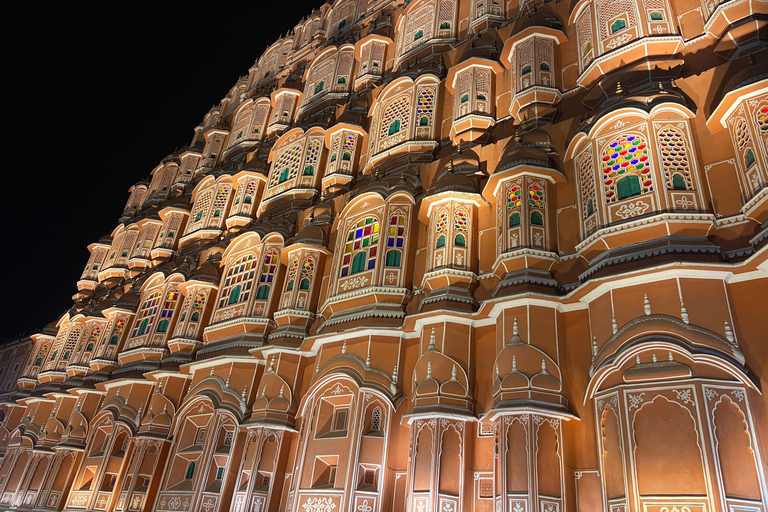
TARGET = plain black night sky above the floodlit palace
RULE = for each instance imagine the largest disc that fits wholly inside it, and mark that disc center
(94, 97)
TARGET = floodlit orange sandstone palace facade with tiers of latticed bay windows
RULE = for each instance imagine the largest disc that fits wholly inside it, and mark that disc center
(431, 256)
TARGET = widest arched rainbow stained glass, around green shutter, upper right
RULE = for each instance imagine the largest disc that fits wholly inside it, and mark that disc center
(626, 155)
